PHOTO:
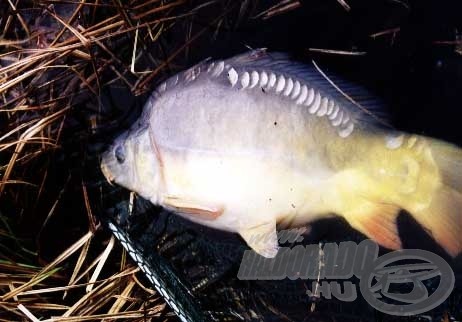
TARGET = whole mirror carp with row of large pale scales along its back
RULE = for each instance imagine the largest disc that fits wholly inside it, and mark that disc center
(259, 141)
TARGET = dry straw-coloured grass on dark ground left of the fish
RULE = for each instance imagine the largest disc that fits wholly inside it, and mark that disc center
(56, 58)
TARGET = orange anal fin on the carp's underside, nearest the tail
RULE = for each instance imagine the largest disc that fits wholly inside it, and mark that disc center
(376, 221)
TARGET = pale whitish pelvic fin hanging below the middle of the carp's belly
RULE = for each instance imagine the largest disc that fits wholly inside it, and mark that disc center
(262, 239)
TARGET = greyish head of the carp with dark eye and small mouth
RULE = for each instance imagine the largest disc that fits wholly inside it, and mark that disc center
(131, 162)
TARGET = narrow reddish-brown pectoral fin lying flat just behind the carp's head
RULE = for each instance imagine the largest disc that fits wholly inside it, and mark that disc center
(193, 207)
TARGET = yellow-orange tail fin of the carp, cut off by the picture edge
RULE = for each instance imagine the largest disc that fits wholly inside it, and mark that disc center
(443, 216)
